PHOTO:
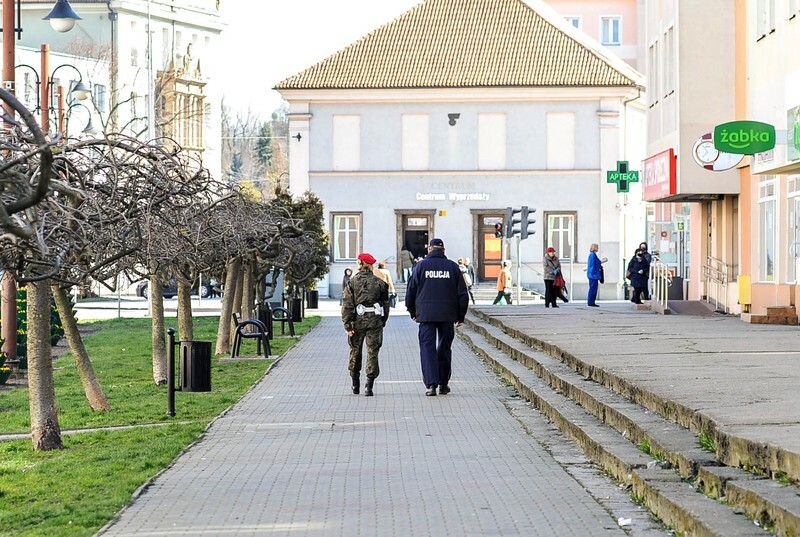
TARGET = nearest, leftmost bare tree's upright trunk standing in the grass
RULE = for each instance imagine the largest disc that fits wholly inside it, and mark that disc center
(45, 432)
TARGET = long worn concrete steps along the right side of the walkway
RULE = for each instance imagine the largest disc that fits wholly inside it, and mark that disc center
(631, 441)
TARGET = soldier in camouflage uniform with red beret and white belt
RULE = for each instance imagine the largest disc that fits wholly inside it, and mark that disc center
(365, 309)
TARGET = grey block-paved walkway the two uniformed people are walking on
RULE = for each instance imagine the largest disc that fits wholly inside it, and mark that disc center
(301, 455)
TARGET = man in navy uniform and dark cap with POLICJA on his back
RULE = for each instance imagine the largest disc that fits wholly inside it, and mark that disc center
(436, 298)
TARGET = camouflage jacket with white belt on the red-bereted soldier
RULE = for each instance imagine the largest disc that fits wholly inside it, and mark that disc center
(367, 289)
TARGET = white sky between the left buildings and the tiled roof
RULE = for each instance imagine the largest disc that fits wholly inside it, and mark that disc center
(282, 37)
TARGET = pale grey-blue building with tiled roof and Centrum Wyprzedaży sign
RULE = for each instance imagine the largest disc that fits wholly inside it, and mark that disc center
(436, 122)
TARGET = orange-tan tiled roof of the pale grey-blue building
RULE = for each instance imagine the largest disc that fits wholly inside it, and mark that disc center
(467, 44)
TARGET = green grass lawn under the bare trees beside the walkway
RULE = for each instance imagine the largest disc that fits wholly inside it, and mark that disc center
(75, 491)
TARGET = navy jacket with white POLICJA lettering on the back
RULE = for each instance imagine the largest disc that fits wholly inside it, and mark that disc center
(436, 292)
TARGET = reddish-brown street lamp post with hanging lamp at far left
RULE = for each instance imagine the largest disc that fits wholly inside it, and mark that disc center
(8, 297)
